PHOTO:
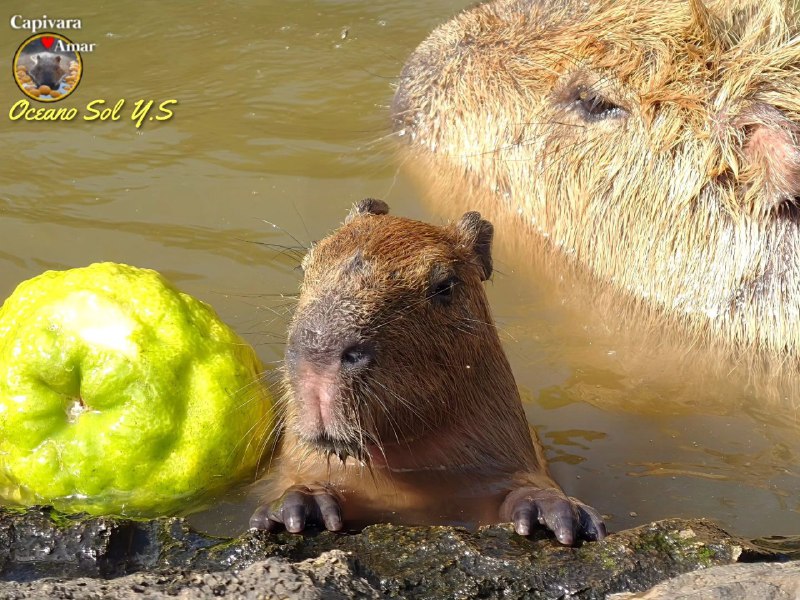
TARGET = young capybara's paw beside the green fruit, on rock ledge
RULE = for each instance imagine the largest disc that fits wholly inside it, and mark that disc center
(299, 506)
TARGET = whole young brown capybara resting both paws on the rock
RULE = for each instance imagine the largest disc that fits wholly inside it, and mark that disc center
(401, 406)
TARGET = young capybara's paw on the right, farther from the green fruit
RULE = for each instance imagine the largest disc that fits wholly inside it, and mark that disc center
(568, 518)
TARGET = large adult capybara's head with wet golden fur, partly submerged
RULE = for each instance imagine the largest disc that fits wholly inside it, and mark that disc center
(655, 141)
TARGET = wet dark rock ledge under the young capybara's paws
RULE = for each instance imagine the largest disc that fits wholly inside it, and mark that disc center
(44, 554)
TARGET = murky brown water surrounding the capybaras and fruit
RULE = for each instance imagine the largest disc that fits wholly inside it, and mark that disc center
(282, 118)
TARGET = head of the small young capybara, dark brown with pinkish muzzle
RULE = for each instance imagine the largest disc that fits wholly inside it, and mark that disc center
(392, 334)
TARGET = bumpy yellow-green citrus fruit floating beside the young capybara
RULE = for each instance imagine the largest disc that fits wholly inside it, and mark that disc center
(120, 394)
